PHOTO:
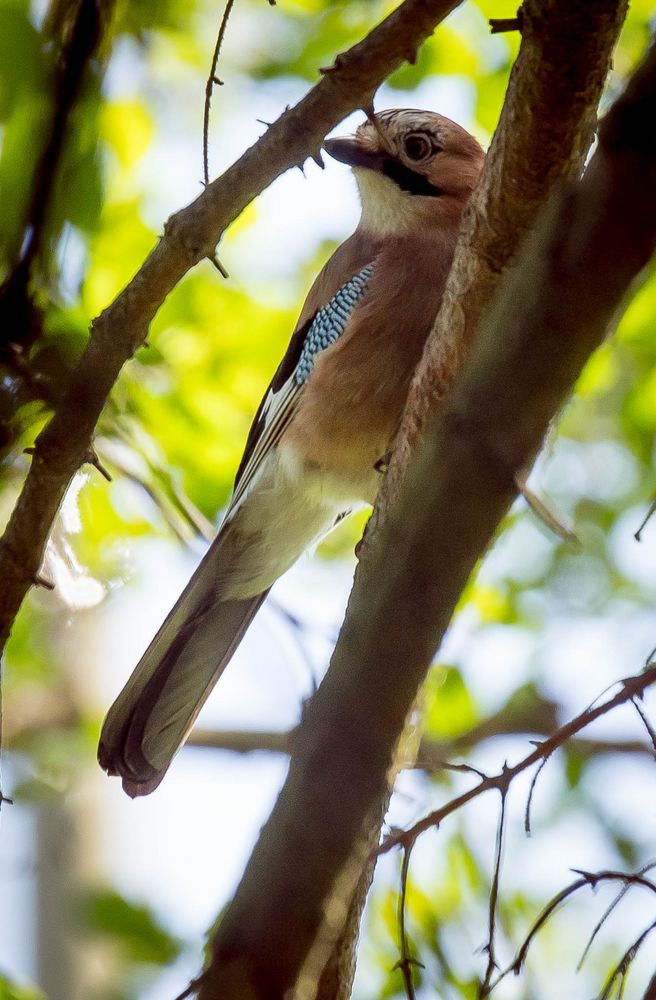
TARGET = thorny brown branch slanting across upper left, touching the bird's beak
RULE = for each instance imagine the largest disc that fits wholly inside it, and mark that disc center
(189, 236)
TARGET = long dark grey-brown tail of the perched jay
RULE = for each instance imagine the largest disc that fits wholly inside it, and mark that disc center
(152, 717)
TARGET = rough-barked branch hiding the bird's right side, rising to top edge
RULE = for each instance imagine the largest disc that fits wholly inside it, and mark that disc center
(544, 134)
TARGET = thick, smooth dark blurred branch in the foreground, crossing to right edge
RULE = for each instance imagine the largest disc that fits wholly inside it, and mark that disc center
(555, 310)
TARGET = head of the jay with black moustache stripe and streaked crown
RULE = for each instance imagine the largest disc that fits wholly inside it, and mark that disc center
(409, 166)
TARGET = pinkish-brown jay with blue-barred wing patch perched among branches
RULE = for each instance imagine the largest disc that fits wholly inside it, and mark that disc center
(315, 448)
